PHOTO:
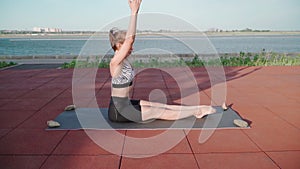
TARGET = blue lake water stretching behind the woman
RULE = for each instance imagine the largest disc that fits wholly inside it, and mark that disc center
(72, 46)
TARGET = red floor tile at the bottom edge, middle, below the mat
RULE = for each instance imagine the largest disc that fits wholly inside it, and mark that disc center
(174, 161)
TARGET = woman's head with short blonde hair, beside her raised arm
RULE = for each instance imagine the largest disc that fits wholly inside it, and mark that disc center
(116, 36)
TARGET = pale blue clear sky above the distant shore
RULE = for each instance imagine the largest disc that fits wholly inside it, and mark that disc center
(203, 14)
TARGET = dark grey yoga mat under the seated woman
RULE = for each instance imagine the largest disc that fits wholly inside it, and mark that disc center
(95, 118)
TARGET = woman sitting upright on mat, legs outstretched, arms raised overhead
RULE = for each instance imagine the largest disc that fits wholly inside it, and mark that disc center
(121, 108)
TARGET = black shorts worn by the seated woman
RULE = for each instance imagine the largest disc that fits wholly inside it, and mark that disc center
(124, 110)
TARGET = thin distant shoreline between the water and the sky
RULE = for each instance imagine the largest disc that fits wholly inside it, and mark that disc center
(53, 35)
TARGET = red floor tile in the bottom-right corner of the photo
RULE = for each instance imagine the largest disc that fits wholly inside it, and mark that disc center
(286, 159)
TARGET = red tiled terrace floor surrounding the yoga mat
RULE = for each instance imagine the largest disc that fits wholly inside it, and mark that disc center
(267, 96)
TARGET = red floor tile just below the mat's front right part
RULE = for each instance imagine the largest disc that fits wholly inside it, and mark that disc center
(233, 140)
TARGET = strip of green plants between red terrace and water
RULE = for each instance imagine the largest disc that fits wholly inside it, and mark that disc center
(261, 59)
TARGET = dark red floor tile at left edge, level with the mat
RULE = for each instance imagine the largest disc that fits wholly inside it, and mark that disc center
(12, 118)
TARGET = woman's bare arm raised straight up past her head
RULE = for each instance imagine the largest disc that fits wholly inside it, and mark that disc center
(121, 54)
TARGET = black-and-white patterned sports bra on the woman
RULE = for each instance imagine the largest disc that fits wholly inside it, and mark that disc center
(125, 77)
